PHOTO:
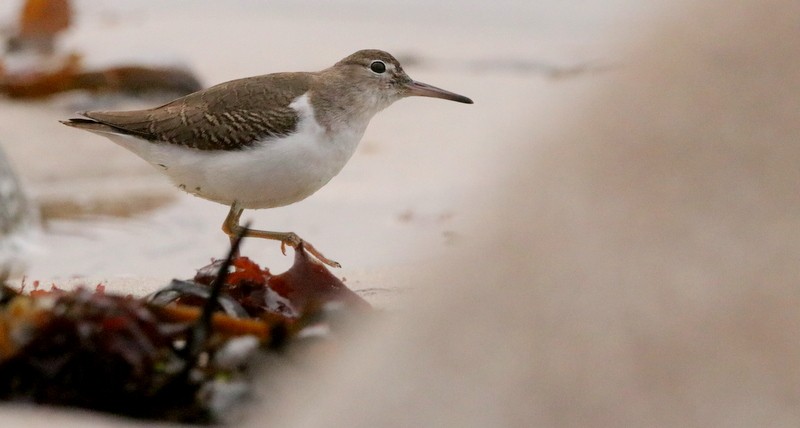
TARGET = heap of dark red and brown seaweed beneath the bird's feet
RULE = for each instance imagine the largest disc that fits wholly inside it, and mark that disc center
(181, 354)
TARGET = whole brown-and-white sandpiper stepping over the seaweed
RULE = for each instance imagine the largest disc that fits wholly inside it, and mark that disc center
(264, 141)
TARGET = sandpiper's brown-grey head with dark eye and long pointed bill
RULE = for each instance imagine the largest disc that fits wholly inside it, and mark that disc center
(380, 70)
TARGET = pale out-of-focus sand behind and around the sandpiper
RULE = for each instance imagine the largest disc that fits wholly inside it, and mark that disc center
(402, 199)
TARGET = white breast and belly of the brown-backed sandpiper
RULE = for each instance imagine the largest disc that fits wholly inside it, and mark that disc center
(271, 173)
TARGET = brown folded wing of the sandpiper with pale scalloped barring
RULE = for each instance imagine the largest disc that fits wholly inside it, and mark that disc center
(229, 116)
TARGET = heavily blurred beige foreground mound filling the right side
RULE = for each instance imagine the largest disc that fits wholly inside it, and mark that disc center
(638, 266)
